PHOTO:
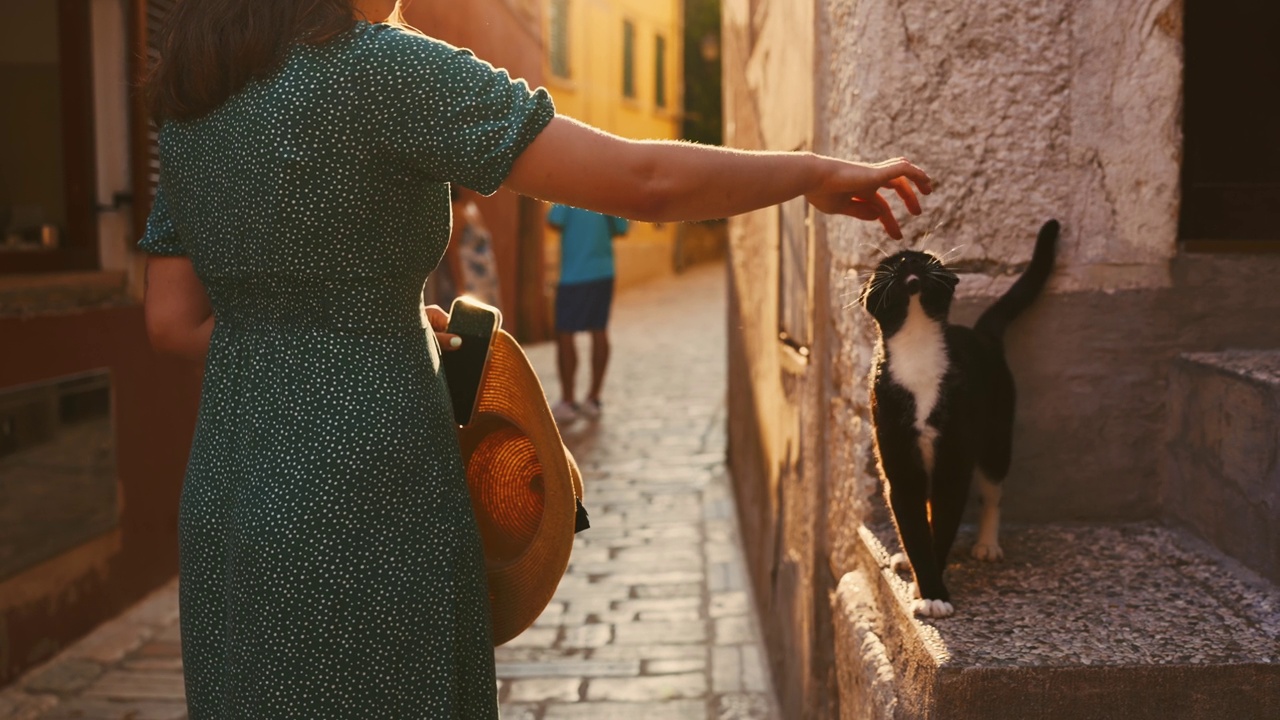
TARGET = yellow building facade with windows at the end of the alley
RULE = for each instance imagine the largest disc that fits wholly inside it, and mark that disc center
(619, 66)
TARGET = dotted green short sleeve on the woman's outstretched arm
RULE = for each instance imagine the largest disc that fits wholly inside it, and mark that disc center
(454, 117)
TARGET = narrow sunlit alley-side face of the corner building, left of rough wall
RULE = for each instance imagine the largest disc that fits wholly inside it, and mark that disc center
(775, 393)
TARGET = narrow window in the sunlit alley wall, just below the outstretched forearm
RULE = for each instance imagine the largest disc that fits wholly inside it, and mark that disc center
(794, 276)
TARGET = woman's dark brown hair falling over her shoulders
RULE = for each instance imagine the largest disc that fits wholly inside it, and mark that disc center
(211, 49)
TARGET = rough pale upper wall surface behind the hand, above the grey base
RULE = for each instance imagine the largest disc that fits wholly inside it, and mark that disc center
(1023, 111)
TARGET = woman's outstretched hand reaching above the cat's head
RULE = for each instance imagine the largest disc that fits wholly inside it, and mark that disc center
(853, 189)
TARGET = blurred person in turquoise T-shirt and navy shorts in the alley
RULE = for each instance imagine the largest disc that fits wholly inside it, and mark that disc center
(583, 302)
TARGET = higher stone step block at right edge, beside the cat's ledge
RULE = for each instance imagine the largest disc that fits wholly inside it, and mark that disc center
(1223, 476)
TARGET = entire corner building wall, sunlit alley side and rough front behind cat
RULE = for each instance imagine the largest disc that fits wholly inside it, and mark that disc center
(1022, 111)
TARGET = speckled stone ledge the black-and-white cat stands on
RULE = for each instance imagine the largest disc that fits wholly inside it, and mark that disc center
(1124, 621)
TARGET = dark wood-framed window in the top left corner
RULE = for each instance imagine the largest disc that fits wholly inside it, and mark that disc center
(48, 180)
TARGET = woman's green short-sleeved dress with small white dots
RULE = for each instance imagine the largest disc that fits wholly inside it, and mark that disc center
(331, 562)
